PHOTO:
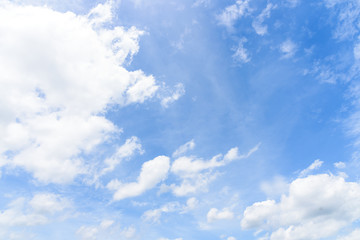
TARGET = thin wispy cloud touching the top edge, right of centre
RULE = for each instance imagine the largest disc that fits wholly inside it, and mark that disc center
(234, 12)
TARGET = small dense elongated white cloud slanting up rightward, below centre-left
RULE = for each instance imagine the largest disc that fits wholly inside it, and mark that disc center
(152, 172)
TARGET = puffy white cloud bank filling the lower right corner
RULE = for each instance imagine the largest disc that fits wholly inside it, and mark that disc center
(315, 207)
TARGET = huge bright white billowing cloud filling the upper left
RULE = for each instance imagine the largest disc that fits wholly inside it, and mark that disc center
(60, 72)
